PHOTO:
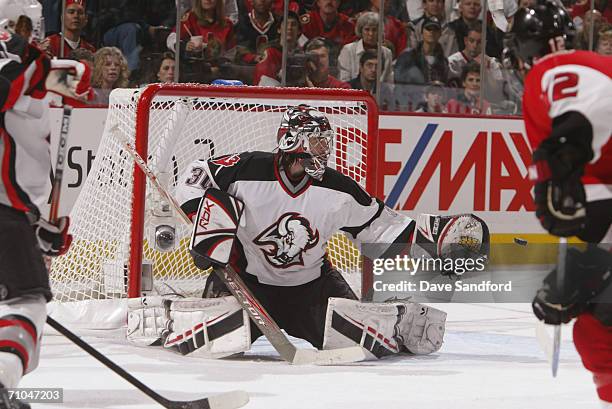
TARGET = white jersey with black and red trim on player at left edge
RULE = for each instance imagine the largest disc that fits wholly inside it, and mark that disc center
(25, 162)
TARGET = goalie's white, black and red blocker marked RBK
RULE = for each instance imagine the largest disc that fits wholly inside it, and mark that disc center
(214, 228)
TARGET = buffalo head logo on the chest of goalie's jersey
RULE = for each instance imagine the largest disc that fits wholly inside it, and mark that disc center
(284, 242)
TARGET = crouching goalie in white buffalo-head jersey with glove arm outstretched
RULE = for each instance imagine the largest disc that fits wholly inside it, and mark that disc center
(271, 215)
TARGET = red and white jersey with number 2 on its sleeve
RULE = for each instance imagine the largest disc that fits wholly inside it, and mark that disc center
(574, 81)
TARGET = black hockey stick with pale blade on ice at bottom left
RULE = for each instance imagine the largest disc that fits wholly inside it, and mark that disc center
(228, 400)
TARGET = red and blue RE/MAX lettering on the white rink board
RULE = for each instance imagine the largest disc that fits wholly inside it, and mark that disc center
(488, 162)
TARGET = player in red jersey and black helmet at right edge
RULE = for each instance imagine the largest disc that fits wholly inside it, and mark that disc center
(568, 109)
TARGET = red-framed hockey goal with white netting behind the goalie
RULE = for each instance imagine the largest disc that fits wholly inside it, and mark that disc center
(113, 254)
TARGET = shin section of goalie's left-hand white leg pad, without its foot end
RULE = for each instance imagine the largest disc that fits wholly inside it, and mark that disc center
(208, 327)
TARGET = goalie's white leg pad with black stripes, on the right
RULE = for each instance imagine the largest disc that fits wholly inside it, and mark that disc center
(383, 328)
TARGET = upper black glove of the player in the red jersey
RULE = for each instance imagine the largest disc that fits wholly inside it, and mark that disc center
(559, 193)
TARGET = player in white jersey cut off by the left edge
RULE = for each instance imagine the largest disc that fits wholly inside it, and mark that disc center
(26, 75)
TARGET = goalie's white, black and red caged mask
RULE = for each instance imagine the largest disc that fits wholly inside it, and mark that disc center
(306, 132)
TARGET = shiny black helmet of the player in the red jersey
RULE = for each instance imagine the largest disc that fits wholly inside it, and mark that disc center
(537, 31)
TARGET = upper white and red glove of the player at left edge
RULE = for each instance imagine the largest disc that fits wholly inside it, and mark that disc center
(70, 79)
